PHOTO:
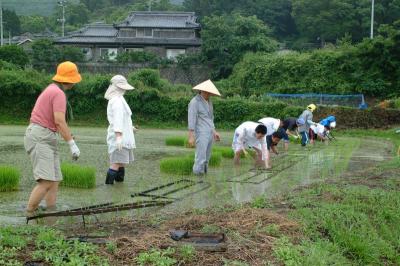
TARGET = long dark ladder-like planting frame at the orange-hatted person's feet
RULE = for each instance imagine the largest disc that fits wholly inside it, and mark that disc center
(102, 209)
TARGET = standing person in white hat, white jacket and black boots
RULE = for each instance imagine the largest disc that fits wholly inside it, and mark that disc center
(120, 135)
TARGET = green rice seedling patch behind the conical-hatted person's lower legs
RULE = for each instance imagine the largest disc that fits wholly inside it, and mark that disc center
(183, 165)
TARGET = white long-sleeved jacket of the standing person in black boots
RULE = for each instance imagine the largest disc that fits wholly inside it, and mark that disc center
(119, 116)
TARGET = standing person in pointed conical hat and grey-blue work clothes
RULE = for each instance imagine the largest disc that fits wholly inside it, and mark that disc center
(201, 125)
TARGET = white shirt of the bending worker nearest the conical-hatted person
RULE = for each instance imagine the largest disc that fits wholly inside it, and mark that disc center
(245, 136)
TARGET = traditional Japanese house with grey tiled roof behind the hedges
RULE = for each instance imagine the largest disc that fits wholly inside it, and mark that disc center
(167, 34)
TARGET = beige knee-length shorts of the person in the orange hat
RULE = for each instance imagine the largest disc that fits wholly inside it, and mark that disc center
(41, 145)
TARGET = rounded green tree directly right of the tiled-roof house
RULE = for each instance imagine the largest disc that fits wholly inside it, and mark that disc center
(227, 38)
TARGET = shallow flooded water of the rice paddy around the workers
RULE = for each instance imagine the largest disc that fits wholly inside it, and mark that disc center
(223, 185)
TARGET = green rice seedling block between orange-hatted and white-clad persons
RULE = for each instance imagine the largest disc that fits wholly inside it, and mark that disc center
(78, 176)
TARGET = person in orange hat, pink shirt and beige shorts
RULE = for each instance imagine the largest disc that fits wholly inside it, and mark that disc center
(47, 119)
